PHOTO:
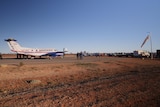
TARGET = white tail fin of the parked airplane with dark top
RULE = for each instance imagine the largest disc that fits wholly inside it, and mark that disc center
(14, 46)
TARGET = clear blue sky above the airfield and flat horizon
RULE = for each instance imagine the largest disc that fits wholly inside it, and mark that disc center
(81, 25)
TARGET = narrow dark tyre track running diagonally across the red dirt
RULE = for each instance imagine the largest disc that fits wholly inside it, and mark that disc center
(66, 85)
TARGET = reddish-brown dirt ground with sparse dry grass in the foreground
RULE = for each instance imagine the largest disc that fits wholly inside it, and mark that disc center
(120, 82)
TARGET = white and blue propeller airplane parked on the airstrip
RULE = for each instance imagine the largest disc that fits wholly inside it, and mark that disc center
(33, 52)
